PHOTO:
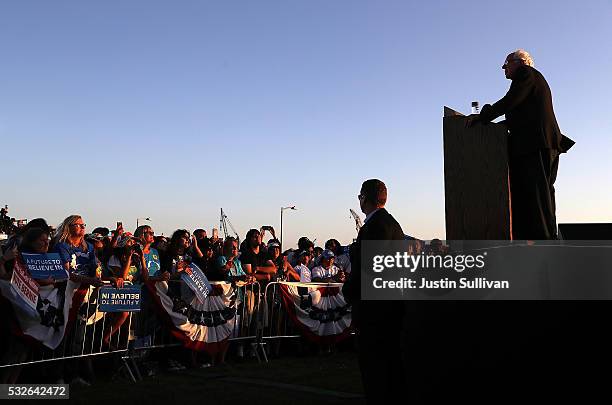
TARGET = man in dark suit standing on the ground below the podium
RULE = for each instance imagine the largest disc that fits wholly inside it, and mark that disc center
(379, 323)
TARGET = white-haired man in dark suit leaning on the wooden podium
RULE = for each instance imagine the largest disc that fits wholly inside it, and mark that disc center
(534, 146)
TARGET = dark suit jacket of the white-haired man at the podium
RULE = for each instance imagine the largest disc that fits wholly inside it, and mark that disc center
(529, 114)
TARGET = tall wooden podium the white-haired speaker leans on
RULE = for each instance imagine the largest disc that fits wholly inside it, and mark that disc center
(476, 185)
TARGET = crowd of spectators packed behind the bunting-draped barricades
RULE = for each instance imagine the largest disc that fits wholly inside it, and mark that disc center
(119, 258)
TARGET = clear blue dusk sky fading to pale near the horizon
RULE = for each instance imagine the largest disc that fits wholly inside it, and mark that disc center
(171, 110)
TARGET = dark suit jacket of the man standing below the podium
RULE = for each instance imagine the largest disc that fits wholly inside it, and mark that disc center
(381, 226)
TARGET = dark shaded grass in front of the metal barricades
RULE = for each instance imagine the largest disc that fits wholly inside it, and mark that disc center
(322, 379)
